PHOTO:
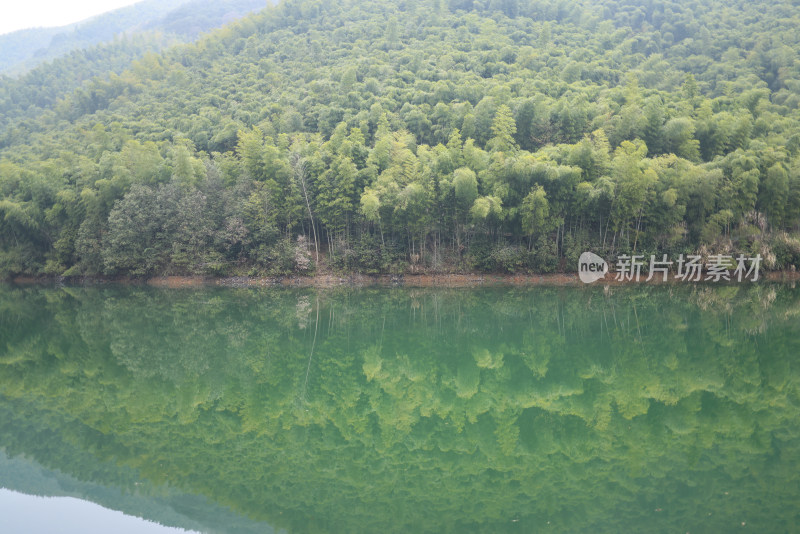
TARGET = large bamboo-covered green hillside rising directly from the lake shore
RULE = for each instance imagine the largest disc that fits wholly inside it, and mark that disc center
(420, 135)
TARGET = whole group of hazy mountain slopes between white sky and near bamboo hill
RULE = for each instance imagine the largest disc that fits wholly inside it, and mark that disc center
(127, 34)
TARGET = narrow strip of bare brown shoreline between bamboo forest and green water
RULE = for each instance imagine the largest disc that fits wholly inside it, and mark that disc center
(328, 280)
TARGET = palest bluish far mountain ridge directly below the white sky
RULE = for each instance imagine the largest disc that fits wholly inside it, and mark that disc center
(22, 50)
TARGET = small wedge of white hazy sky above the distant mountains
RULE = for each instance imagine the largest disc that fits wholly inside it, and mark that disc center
(16, 15)
